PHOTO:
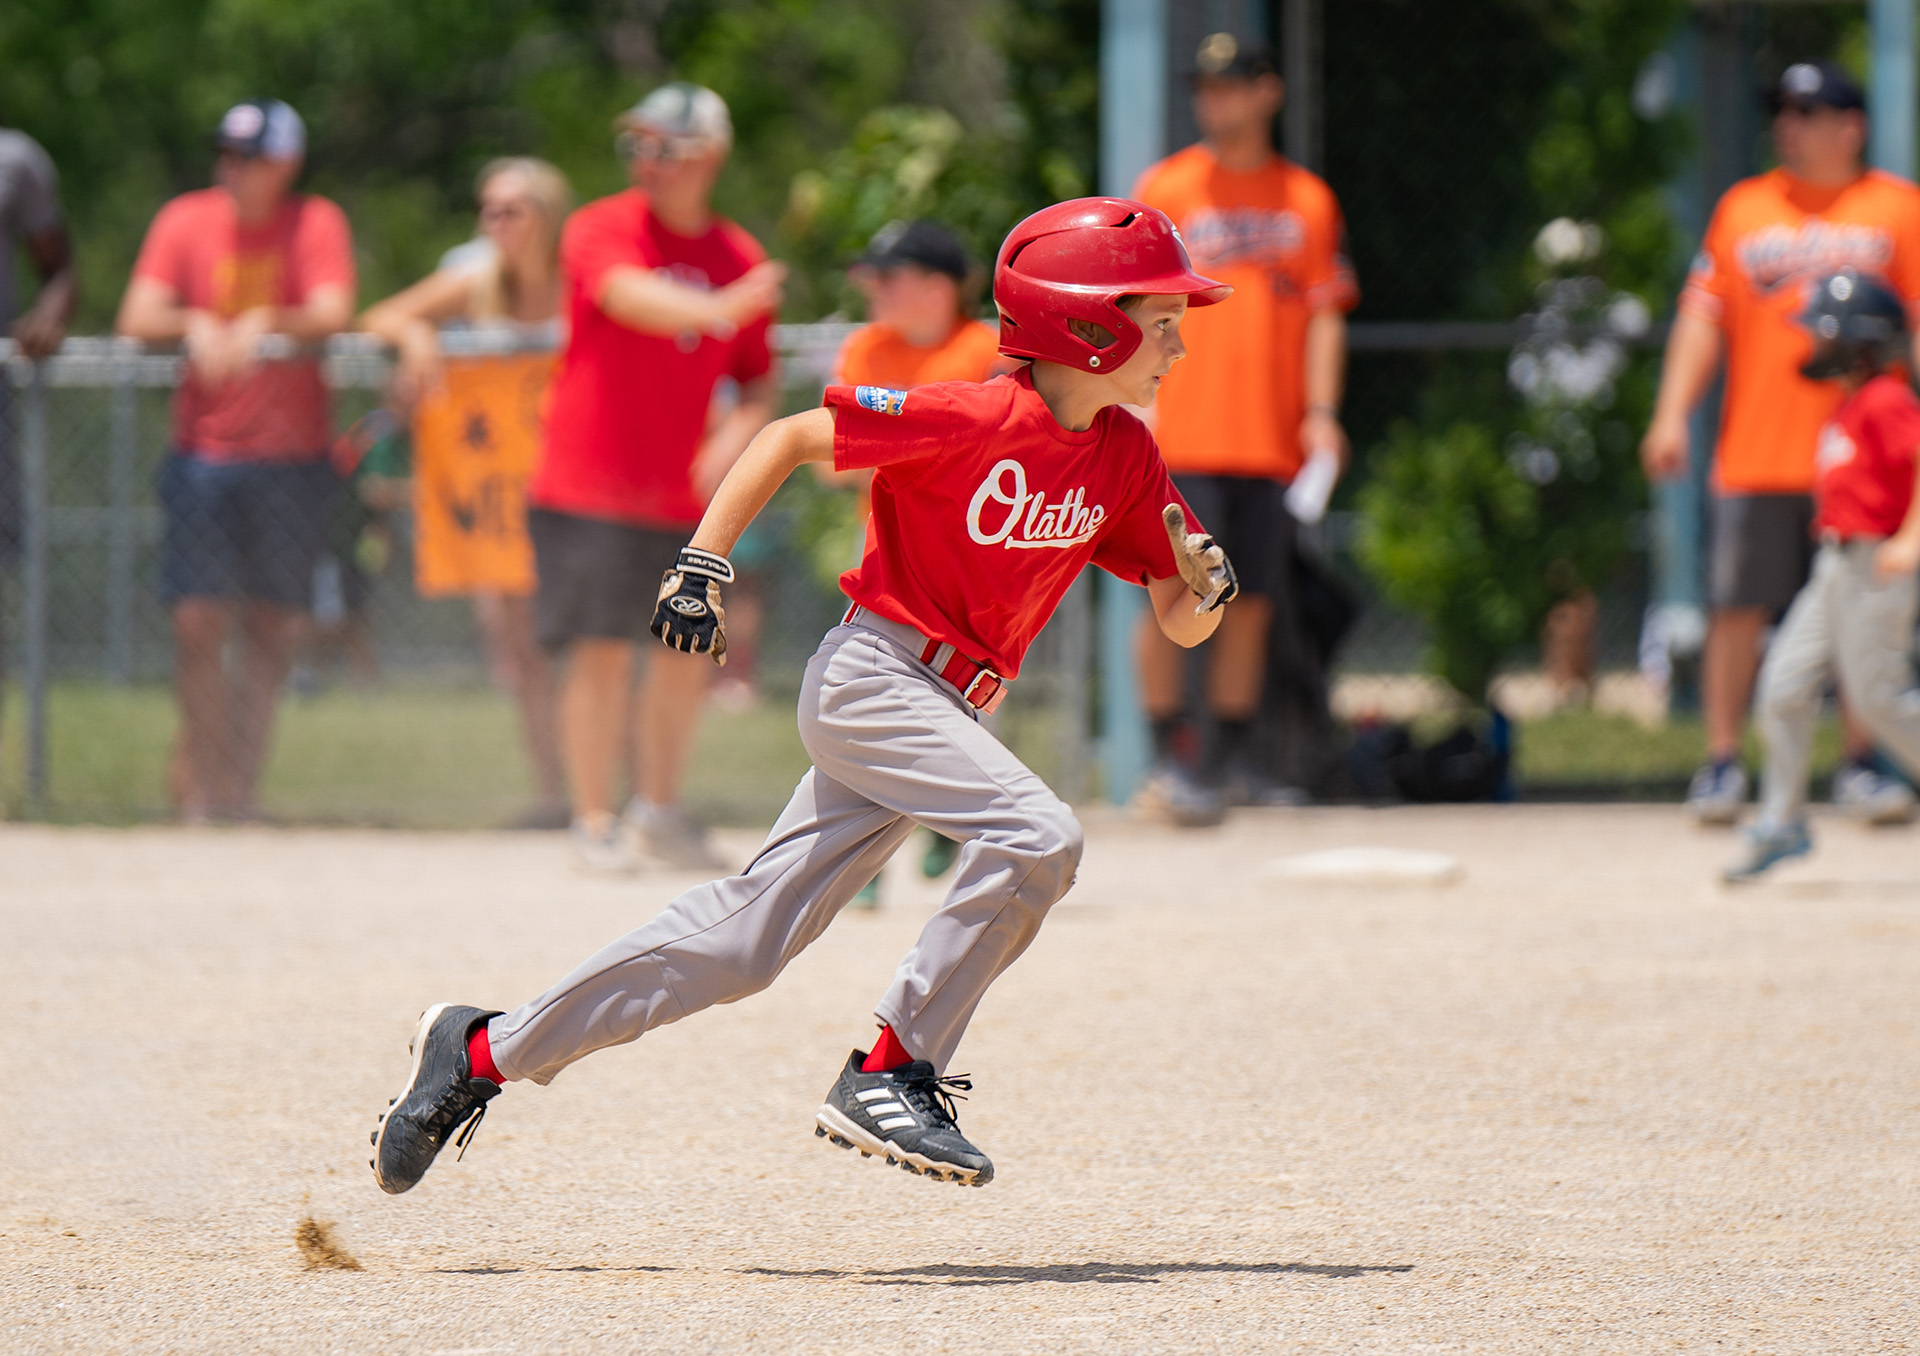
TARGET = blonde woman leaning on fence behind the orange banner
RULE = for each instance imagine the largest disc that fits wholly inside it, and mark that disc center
(512, 276)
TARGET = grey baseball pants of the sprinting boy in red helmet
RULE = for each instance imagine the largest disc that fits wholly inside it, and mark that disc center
(894, 746)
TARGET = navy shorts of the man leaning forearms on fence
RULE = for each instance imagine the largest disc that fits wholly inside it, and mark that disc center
(245, 529)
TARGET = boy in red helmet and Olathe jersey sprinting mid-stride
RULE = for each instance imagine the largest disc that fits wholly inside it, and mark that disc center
(988, 504)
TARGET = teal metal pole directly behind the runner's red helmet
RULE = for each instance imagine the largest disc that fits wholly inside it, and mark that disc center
(1134, 132)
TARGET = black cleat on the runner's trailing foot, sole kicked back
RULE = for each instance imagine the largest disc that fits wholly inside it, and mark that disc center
(441, 1098)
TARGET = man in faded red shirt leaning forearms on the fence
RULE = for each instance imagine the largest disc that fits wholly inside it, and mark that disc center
(247, 487)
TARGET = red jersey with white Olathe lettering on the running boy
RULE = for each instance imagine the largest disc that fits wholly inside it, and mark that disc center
(986, 510)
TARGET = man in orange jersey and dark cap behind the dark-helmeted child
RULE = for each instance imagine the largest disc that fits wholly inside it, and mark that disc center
(1769, 239)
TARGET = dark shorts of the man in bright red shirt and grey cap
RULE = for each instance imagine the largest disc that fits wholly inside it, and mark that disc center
(598, 579)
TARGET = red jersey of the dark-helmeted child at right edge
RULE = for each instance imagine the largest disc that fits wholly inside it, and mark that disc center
(1865, 468)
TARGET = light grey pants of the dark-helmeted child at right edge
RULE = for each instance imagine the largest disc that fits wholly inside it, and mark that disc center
(1850, 625)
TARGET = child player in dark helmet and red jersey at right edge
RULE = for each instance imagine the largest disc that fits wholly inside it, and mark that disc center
(1856, 616)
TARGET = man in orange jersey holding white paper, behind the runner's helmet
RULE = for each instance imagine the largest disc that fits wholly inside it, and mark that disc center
(1257, 397)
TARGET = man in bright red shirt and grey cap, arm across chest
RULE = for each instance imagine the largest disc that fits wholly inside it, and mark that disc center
(663, 303)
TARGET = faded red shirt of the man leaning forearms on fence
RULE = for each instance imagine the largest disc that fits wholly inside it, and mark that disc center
(210, 262)
